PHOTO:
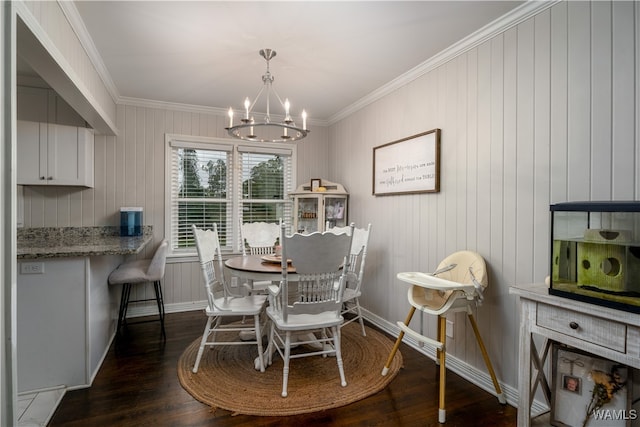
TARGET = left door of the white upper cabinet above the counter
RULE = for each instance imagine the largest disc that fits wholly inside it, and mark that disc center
(31, 153)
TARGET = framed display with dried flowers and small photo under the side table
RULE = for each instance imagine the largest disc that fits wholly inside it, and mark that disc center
(576, 374)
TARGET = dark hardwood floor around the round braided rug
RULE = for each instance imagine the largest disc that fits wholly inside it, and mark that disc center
(138, 386)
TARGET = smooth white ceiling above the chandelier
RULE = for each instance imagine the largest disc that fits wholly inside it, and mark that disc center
(329, 54)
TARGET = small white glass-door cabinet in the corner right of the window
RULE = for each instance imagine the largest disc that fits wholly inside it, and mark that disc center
(313, 210)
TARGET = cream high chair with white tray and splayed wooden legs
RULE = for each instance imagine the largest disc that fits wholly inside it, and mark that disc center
(461, 279)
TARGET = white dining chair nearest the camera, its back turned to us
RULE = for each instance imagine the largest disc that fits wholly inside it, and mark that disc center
(311, 303)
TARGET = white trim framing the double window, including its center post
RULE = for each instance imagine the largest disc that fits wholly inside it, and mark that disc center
(225, 144)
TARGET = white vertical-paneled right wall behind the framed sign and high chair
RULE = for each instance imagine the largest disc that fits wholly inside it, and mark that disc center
(545, 112)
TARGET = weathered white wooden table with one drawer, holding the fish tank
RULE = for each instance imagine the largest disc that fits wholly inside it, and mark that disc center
(612, 334)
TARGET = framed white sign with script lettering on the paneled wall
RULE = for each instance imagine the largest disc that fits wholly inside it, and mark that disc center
(407, 166)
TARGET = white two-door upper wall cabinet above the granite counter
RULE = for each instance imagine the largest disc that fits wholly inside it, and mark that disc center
(52, 154)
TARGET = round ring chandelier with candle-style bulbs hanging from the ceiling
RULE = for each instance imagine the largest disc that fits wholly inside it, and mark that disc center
(250, 129)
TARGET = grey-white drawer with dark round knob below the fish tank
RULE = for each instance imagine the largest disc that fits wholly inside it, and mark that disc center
(603, 332)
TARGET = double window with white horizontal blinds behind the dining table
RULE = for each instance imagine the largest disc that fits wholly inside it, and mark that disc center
(227, 183)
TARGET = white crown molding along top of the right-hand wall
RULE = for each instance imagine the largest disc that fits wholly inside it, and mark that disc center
(500, 25)
